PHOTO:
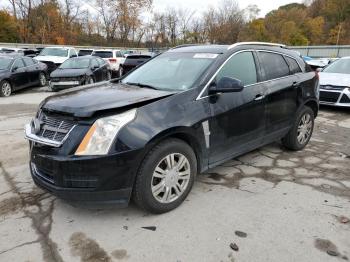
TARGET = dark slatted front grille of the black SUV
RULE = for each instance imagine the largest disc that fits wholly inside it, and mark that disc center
(54, 128)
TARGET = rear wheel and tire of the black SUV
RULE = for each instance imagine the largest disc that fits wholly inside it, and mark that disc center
(299, 136)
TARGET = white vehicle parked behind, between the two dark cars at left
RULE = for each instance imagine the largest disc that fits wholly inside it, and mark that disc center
(53, 57)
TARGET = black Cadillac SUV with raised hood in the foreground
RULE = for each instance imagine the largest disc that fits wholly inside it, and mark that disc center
(146, 135)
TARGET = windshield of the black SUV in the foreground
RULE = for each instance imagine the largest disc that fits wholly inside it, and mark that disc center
(172, 71)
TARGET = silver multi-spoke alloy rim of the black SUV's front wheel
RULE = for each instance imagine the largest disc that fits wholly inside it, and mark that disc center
(171, 178)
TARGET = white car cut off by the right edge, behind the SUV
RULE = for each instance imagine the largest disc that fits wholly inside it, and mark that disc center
(335, 83)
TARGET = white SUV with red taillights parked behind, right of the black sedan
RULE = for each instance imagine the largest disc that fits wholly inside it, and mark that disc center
(113, 57)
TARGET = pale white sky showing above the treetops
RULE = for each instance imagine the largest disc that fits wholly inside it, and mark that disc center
(201, 5)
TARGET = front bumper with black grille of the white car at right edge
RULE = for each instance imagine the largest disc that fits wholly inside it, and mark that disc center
(335, 97)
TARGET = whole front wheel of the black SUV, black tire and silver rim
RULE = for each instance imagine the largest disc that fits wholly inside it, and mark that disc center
(165, 177)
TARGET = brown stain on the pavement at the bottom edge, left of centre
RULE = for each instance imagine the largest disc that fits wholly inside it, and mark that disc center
(87, 248)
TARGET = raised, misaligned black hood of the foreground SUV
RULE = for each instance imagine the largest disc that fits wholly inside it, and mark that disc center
(85, 101)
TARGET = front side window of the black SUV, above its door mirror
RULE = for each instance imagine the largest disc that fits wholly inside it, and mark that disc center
(240, 66)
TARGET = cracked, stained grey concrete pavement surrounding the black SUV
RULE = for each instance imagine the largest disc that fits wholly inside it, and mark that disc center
(268, 205)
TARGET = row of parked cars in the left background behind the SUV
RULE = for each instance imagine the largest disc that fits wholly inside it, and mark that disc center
(64, 67)
